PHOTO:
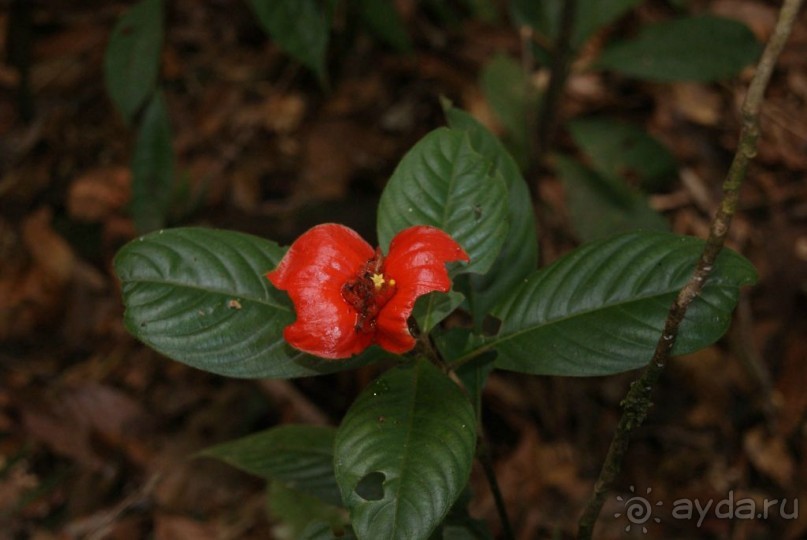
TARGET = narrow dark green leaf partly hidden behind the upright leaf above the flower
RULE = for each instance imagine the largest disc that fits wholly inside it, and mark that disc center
(519, 255)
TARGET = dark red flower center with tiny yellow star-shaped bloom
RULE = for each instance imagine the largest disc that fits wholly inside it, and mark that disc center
(368, 292)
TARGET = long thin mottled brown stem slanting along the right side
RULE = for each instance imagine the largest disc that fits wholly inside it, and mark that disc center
(638, 399)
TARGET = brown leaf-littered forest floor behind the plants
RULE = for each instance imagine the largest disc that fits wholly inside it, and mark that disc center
(96, 429)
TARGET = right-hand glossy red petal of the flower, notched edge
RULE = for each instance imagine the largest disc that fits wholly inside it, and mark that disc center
(416, 261)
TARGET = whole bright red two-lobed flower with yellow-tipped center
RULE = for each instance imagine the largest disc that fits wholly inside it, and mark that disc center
(348, 296)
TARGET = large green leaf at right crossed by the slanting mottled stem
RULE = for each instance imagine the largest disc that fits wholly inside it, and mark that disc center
(601, 309)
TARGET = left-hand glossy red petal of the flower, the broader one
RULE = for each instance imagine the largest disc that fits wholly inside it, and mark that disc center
(313, 272)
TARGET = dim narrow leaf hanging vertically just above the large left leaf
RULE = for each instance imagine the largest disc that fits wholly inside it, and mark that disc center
(153, 168)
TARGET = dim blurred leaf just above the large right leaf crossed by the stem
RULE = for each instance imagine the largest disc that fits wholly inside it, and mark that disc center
(600, 207)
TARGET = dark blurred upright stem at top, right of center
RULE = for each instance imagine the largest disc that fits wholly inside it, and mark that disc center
(558, 73)
